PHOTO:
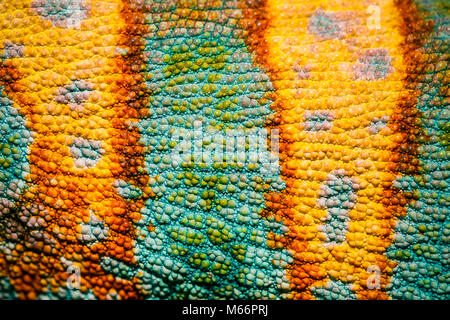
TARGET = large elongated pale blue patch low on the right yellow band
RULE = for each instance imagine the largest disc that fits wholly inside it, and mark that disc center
(338, 197)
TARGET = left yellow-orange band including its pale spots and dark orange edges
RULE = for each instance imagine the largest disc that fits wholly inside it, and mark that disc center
(65, 190)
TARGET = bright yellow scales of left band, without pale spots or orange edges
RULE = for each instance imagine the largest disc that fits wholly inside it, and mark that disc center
(54, 56)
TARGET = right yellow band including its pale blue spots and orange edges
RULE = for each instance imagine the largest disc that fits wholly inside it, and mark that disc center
(346, 112)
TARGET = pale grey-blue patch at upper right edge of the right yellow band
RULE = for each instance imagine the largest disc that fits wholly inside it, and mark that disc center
(375, 64)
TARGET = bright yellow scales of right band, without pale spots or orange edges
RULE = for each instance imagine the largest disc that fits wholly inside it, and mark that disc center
(330, 84)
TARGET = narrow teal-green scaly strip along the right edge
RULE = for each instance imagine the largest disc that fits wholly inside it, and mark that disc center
(422, 236)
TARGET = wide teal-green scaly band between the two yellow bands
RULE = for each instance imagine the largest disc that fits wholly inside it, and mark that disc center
(207, 238)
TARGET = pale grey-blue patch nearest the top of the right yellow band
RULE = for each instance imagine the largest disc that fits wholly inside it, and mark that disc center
(326, 25)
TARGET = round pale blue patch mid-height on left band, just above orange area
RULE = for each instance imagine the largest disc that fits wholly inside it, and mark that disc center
(86, 153)
